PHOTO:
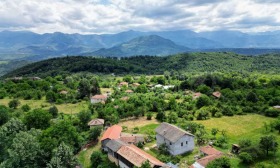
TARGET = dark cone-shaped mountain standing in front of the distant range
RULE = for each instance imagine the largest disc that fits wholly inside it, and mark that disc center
(145, 45)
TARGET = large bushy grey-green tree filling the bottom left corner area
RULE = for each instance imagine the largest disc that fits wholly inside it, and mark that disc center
(25, 150)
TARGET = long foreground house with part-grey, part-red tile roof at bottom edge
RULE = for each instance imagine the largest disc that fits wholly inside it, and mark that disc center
(128, 156)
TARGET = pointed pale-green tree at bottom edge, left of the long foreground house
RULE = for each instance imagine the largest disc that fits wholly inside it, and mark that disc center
(63, 157)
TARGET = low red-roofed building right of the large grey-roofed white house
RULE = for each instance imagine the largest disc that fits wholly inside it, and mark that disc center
(209, 154)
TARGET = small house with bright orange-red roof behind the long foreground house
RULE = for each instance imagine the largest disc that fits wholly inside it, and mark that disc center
(113, 132)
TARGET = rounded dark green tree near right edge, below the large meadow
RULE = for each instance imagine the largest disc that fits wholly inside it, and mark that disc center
(268, 143)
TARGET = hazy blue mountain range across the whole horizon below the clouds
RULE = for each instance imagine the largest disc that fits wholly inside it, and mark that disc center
(32, 46)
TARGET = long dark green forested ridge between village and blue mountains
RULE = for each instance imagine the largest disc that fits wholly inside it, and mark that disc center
(192, 62)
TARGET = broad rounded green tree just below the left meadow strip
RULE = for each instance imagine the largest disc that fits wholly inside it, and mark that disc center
(38, 118)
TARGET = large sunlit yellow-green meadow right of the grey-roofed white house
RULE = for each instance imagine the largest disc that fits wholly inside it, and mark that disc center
(245, 126)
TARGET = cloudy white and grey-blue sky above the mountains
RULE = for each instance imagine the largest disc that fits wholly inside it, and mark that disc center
(112, 16)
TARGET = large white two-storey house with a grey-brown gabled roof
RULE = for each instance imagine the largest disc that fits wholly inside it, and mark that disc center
(177, 140)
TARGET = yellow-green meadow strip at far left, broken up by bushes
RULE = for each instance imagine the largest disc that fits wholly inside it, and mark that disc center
(66, 108)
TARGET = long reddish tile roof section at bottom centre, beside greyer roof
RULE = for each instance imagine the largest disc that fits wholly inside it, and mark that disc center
(137, 156)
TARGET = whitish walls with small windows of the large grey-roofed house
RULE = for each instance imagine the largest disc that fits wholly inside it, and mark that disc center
(176, 148)
